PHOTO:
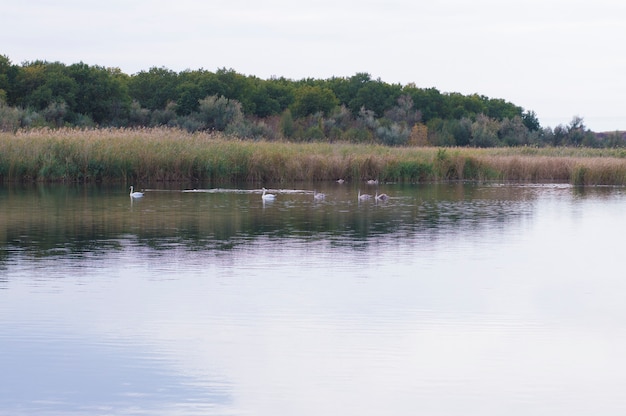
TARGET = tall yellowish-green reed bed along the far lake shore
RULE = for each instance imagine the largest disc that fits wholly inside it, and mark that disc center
(173, 155)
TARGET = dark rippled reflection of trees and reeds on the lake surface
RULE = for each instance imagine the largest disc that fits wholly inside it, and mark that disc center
(74, 220)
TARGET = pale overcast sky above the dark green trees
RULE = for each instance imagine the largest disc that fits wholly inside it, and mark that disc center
(559, 58)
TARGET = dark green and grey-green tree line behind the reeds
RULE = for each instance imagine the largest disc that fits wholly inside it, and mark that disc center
(354, 109)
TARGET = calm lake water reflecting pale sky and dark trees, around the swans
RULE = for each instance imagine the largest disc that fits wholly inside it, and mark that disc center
(443, 300)
